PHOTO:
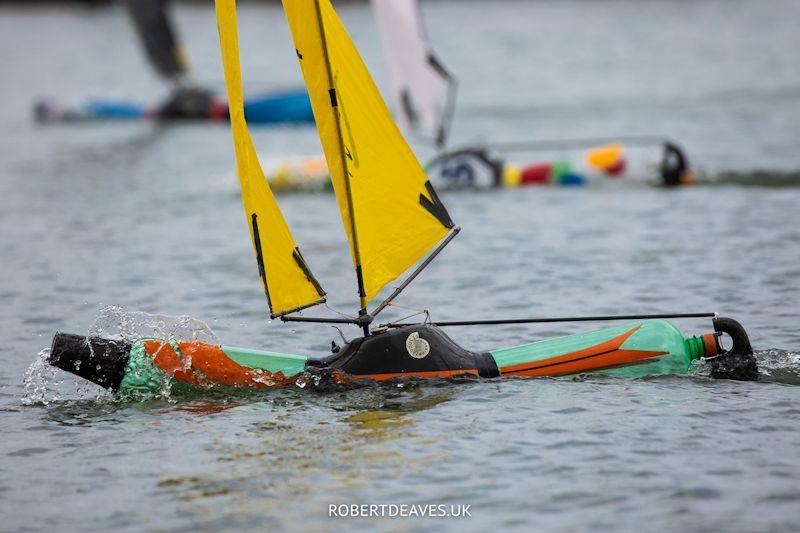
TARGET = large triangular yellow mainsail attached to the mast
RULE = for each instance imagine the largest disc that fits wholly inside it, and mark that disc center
(390, 211)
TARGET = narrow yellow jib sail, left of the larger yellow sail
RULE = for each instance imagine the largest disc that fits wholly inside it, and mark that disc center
(287, 280)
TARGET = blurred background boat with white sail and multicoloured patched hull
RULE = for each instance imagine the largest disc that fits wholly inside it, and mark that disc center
(424, 93)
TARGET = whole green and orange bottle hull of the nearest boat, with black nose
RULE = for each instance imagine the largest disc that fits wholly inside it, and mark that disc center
(646, 348)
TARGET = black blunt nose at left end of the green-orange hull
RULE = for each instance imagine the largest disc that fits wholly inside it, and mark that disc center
(101, 361)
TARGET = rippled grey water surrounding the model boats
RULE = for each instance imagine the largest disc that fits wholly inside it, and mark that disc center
(148, 217)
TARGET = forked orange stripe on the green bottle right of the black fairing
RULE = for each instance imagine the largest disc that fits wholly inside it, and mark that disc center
(598, 357)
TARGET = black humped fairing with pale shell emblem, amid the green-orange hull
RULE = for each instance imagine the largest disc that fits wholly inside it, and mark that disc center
(386, 353)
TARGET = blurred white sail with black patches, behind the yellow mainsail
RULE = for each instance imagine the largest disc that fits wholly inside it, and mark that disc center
(423, 89)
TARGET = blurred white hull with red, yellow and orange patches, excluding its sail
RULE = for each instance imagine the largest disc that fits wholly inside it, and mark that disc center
(656, 162)
